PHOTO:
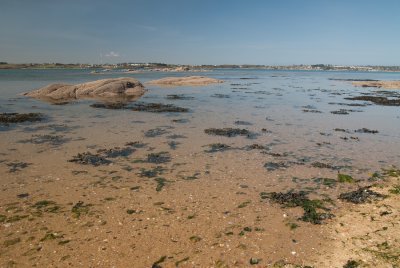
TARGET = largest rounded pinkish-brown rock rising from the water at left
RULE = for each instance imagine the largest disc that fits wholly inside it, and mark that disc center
(115, 89)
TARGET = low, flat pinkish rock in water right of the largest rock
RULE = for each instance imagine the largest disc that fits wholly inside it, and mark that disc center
(185, 81)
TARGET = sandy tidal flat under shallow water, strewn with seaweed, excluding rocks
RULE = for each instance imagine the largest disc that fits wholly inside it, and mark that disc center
(267, 169)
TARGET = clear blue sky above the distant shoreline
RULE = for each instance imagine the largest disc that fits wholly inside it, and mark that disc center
(279, 32)
